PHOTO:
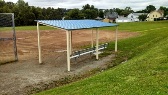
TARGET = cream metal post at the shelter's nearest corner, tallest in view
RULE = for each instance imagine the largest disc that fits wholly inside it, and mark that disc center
(68, 50)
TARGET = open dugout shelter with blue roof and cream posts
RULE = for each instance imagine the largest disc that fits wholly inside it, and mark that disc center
(68, 26)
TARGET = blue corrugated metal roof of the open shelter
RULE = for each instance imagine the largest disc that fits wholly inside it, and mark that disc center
(75, 24)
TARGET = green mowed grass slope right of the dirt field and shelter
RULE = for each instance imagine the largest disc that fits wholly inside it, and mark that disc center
(144, 73)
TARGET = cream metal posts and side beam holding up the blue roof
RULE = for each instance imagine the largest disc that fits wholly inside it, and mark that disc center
(69, 44)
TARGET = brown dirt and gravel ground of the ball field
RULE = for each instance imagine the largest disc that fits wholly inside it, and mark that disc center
(18, 77)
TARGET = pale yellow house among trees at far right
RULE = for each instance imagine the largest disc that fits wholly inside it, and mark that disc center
(154, 15)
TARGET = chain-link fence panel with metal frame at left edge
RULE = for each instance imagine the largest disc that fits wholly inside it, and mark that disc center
(8, 48)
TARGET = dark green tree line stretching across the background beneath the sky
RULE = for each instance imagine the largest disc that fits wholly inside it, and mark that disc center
(25, 14)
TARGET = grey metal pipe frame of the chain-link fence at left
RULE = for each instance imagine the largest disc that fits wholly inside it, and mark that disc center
(14, 35)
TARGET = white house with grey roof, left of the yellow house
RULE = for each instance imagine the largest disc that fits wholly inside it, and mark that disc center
(135, 16)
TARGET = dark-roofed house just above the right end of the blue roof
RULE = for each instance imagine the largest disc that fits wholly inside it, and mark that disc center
(110, 17)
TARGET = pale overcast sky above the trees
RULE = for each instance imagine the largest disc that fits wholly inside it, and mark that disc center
(101, 4)
